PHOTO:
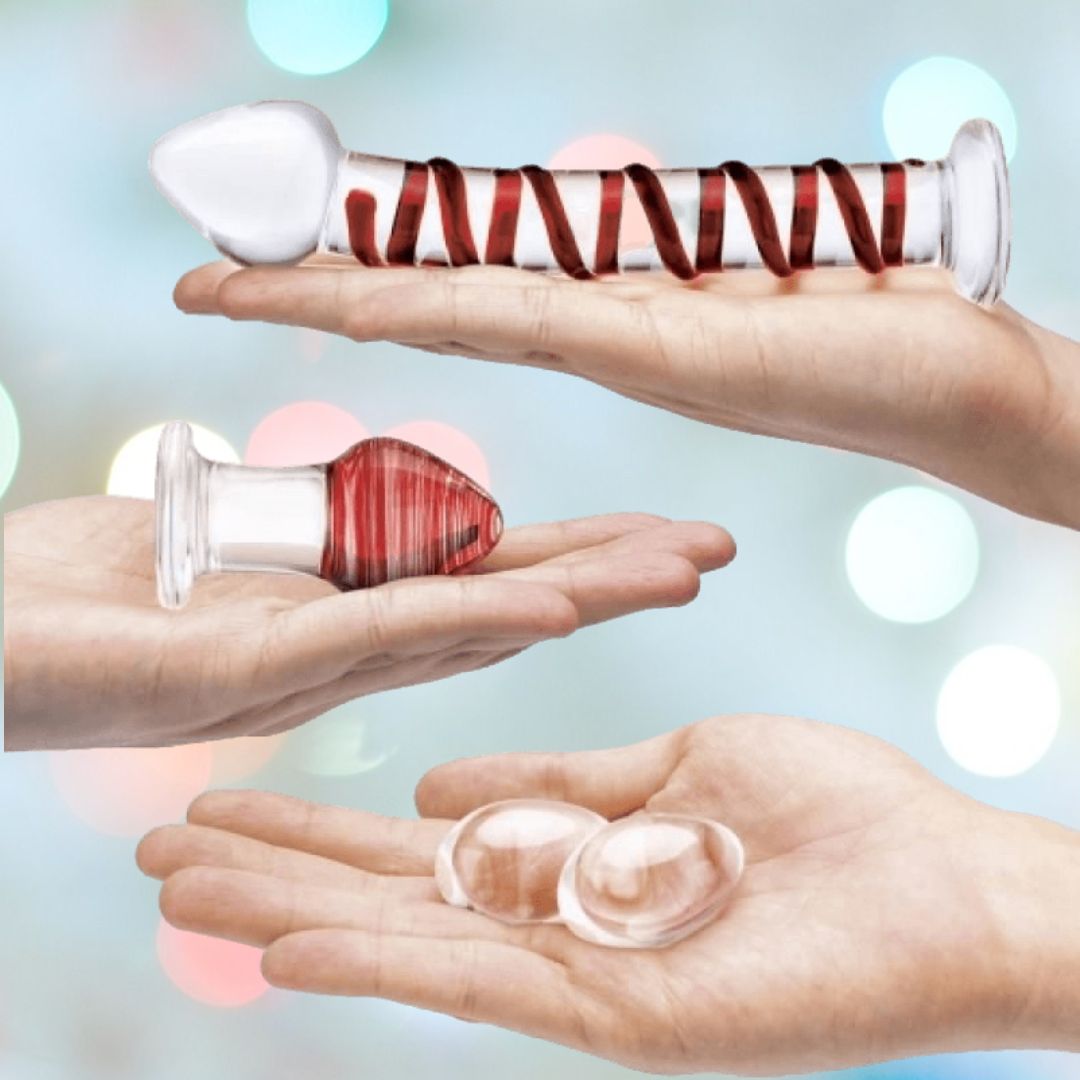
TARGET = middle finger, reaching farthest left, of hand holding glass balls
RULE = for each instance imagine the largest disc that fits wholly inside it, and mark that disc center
(171, 848)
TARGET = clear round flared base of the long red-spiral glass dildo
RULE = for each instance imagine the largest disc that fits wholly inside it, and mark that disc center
(978, 222)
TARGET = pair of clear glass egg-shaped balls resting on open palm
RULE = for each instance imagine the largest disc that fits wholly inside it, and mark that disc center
(643, 882)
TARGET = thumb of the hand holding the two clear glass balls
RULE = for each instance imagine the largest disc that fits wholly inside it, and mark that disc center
(612, 782)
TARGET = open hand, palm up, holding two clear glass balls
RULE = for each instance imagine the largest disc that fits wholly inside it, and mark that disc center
(882, 914)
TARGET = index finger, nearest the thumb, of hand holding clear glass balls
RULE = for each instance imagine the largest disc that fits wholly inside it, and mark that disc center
(355, 838)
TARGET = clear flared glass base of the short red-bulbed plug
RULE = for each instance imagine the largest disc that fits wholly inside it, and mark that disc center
(177, 491)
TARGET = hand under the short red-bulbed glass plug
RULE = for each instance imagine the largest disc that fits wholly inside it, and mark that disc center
(92, 660)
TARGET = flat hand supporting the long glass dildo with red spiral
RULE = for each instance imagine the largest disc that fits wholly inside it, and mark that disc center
(900, 367)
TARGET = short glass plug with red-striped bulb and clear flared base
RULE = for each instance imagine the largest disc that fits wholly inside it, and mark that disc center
(383, 510)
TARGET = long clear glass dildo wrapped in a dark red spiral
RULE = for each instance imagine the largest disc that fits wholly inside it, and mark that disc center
(271, 183)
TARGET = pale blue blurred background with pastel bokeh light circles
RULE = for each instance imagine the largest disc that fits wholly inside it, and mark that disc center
(865, 593)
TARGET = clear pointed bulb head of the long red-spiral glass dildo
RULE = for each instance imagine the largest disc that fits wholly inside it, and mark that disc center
(254, 180)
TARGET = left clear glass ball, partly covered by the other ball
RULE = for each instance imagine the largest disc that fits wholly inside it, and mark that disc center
(505, 859)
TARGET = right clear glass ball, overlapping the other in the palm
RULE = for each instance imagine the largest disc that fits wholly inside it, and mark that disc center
(650, 881)
